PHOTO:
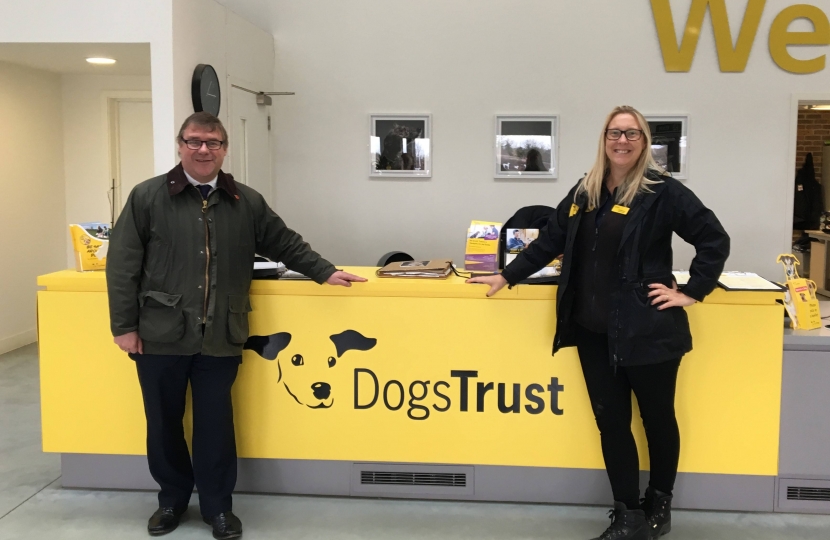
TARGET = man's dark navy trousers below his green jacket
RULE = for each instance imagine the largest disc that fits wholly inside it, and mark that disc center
(164, 381)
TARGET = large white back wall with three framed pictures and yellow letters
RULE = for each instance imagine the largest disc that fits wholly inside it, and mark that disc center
(464, 62)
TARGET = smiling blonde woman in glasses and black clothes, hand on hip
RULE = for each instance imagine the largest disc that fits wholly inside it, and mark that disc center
(619, 305)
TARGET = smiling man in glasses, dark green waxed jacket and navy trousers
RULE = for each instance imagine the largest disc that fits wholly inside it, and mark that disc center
(179, 268)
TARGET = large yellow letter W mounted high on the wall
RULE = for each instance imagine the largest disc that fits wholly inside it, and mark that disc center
(731, 58)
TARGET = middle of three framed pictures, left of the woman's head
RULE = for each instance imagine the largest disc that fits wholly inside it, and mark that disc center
(527, 146)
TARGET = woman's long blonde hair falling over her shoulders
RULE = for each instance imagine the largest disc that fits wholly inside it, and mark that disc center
(635, 181)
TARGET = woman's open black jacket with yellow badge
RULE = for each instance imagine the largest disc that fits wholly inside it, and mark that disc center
(638, 333)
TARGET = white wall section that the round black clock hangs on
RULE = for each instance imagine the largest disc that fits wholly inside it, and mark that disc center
(205, 32)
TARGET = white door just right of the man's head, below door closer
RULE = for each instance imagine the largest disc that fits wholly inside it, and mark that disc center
(250, 148)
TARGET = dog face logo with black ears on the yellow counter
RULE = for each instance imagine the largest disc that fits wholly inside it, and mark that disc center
(303, 375)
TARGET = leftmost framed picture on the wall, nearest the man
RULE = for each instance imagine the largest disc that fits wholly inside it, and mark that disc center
(400, 146)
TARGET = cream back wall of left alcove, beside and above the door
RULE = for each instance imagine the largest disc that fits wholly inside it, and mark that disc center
(85, 144)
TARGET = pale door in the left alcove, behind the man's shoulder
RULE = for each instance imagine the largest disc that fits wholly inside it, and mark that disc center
(132, 133)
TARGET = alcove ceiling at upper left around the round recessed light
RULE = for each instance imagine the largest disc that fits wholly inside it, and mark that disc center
(132, 58)
